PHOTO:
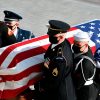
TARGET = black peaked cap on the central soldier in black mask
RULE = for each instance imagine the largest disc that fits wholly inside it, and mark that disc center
(56, 26)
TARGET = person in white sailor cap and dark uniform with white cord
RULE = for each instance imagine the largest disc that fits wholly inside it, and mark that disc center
(85, 68)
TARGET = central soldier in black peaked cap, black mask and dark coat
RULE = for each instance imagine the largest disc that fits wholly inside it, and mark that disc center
(58, 64)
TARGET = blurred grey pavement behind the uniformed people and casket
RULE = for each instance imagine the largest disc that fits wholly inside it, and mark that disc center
(36, 13)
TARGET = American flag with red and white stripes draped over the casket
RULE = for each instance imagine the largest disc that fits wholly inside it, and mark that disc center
(20, 63)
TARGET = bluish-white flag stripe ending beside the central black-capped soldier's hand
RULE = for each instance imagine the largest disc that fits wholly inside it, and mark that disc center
(23, 65)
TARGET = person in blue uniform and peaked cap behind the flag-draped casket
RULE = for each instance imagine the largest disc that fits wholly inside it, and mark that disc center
(12, 21)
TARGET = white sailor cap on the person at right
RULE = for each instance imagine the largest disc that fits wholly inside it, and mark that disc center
(81, 36)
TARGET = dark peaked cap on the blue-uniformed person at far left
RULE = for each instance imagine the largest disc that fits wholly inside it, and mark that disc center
(11, 16)
